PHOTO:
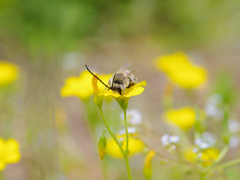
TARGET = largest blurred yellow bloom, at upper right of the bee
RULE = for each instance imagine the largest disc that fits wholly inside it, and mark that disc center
(181, 71)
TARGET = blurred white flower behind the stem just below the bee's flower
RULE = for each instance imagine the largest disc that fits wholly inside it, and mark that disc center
(134, 117)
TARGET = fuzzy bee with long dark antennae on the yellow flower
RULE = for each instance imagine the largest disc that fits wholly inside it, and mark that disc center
(121, 79)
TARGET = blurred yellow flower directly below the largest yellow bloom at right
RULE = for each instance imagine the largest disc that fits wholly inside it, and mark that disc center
(184, 117)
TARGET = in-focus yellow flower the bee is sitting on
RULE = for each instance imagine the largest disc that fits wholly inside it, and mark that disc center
(129, 92)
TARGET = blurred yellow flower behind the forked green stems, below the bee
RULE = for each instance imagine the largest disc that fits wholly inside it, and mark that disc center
(135, 146)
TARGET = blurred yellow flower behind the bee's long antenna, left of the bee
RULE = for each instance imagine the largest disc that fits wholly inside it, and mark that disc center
(81, 86)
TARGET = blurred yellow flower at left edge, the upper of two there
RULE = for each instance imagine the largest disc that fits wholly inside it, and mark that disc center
(8, 72)
